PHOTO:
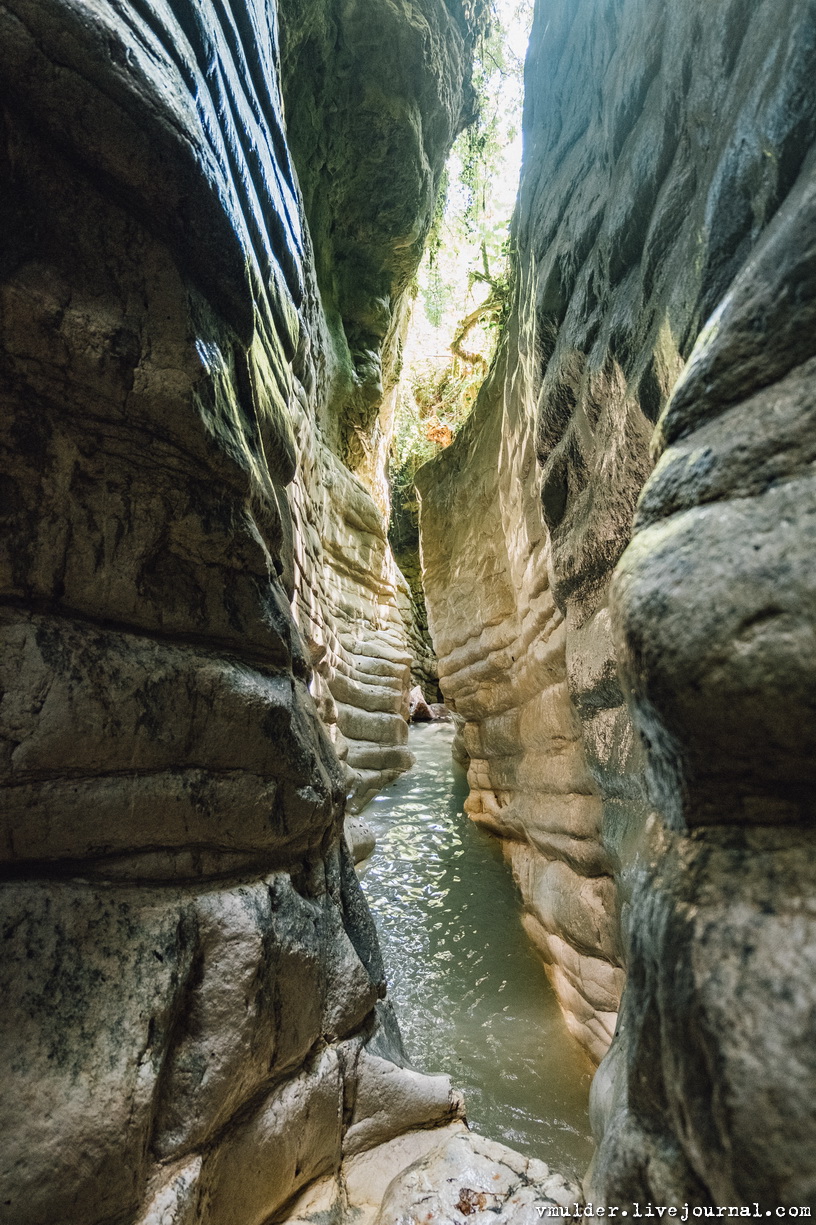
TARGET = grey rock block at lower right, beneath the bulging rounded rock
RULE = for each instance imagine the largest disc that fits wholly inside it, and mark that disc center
(706, 1097)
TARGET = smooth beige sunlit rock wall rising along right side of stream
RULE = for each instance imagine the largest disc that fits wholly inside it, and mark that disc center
(501, 641)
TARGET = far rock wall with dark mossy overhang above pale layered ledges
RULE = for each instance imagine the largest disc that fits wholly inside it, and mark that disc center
(376, 95)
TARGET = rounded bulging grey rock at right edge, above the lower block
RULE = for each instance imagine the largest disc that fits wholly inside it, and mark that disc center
(730, 510)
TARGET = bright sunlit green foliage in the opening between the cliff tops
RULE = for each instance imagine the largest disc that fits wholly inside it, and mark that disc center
(465, 282)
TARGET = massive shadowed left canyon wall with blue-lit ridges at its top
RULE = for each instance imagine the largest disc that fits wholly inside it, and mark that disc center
(193, 1025)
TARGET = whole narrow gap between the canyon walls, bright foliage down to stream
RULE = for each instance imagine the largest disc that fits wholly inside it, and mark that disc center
(467, 986)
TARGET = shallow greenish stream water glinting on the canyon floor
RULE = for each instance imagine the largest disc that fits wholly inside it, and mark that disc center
(470, 993)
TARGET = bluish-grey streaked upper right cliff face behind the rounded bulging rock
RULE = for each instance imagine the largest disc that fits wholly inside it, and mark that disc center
(659, 188)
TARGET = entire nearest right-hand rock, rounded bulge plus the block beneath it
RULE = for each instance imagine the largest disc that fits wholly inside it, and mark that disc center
(717, 629)
